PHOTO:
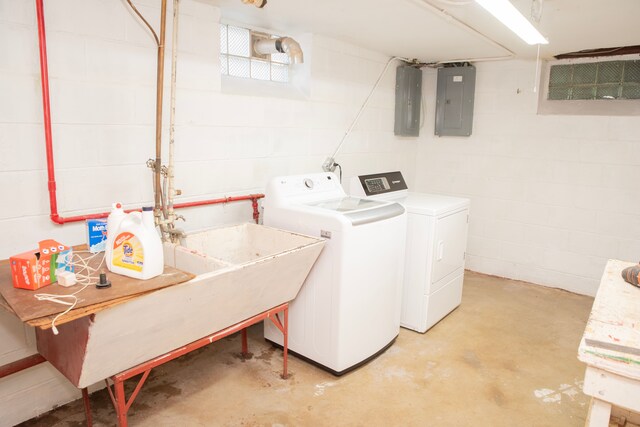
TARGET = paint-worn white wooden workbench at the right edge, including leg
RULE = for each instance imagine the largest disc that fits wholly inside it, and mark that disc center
(610, 347)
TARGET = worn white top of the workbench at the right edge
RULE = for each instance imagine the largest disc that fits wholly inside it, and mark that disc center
(611, 340)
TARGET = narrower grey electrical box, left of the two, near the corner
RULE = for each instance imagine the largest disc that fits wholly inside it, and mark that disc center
(408, 97)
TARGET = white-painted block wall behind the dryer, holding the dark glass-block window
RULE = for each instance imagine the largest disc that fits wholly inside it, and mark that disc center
(552, 197)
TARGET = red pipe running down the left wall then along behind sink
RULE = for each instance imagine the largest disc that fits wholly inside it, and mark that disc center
(53, 201)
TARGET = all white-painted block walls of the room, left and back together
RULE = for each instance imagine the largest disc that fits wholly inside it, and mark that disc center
(552, 196)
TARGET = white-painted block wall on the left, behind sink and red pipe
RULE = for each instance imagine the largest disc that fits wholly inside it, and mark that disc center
(229, 141)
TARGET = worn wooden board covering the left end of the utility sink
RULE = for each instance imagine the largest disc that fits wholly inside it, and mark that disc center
(25, 306)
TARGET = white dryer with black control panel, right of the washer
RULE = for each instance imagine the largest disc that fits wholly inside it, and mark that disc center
(435, 248)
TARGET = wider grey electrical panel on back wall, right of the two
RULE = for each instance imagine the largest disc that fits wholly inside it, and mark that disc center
(454, 100)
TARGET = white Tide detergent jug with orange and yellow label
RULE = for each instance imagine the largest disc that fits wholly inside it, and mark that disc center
(134, 248)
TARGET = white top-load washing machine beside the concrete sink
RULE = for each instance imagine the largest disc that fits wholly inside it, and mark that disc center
(348, 309)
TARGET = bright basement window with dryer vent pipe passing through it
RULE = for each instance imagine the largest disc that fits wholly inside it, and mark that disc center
(238, 59)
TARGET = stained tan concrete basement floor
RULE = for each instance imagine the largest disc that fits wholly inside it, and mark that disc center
(505, 357)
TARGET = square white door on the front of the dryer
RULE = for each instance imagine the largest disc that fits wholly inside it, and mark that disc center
(450, 244)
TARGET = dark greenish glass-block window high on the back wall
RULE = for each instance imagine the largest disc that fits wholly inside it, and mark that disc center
(595, 80)
